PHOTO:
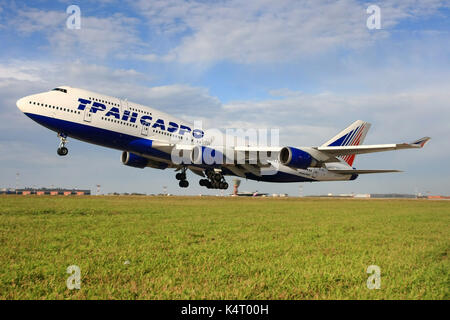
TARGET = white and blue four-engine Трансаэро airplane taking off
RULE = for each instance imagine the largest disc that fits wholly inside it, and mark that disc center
(150, 138)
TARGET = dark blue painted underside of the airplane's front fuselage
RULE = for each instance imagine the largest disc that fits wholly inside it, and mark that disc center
(99, 136)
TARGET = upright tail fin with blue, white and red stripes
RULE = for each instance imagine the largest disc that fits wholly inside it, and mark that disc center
(353, 135)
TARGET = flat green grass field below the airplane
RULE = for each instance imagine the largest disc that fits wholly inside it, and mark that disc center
(223, 248)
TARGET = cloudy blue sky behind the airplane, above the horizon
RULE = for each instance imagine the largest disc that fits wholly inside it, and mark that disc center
(307, 68)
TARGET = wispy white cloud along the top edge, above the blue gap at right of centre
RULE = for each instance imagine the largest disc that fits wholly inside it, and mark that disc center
(270, 31)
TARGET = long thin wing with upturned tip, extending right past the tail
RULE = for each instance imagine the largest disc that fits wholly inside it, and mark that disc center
(349, 150)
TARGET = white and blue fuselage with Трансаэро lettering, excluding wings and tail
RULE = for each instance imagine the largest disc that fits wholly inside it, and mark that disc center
(131, 127)
